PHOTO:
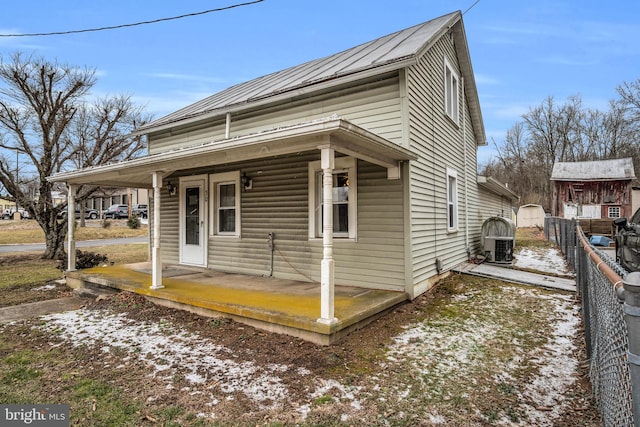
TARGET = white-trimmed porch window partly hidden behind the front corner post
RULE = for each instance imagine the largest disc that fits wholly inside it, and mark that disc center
(344, 198)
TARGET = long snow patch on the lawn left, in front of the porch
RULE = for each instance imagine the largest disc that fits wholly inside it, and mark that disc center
(163, 348)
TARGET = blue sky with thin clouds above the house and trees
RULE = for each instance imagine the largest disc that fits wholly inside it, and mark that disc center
(522, 51)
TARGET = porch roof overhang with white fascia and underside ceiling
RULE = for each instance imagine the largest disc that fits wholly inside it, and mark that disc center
(339, 134)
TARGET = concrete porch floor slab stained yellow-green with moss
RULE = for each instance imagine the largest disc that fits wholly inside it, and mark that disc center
(275, 305)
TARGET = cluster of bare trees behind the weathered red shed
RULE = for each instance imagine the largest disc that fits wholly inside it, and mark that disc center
(566, 132)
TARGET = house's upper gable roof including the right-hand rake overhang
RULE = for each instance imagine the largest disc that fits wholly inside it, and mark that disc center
(388, 53)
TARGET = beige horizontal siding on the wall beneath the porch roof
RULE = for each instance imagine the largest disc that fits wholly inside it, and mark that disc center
(278, 203)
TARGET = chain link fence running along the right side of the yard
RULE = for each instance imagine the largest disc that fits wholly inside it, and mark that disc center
(599, 281)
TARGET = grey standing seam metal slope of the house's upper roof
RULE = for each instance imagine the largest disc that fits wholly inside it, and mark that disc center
(394, 48)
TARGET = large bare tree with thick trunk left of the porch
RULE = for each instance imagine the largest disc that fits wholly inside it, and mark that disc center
(45, 117)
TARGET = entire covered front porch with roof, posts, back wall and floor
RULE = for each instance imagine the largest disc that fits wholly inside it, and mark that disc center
(189, 233)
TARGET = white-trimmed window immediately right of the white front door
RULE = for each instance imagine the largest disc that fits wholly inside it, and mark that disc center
(225, 204)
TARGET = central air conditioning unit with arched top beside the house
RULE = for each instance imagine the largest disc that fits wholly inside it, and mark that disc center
(498, 238)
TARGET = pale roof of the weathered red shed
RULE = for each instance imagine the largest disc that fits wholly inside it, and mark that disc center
(600, 170)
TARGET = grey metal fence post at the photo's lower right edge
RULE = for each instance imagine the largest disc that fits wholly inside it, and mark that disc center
(632, 318)
